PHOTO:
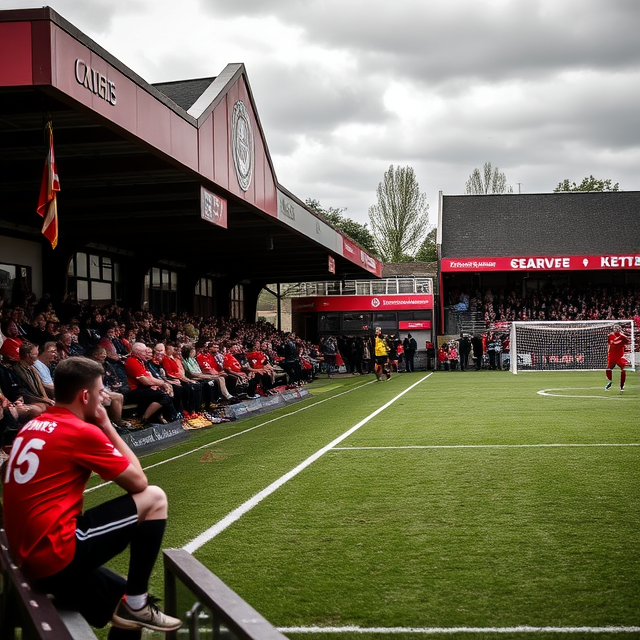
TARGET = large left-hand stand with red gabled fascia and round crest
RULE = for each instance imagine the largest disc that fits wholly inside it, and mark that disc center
(168, 194)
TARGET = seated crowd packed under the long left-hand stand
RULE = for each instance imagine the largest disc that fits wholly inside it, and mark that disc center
(170, 365)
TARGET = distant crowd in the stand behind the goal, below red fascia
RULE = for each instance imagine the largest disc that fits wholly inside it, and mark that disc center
(552, 303)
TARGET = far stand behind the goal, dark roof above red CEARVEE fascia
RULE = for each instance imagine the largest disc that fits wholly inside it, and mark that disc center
(527, 242)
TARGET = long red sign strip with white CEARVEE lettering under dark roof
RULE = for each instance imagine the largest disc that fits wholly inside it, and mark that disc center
(542, 263)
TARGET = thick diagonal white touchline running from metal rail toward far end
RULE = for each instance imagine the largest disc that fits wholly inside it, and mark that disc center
(244, 508)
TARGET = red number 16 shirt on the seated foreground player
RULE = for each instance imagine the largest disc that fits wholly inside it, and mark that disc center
(51, 461)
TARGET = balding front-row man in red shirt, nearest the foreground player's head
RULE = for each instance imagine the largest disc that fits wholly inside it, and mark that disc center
(150, 393)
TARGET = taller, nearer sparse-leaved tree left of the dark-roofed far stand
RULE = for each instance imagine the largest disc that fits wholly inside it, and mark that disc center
(400, 219)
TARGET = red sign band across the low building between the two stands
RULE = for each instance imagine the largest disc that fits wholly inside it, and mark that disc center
(401, 302)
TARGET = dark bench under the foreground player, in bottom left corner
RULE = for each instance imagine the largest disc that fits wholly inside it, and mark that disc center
(29, 614)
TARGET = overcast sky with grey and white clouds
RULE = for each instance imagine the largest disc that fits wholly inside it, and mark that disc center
(543, 89)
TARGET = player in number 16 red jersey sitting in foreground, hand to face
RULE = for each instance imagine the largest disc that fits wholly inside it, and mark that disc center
(57, 545)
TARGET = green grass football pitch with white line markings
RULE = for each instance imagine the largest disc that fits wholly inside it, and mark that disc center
(453, 504)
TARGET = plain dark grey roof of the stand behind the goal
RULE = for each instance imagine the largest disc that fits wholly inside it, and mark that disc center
(576, 223)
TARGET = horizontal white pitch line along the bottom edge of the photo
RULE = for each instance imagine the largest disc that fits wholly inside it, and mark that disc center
(449, 630)
